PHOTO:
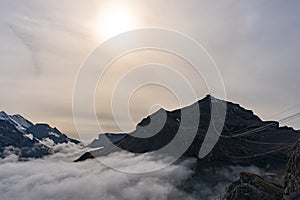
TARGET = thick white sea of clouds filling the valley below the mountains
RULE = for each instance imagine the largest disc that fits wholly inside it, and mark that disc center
(58, 178)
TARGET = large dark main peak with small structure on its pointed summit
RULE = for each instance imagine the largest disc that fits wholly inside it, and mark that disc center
(245, 139)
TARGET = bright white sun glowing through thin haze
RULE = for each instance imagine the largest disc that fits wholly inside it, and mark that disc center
(115, 20)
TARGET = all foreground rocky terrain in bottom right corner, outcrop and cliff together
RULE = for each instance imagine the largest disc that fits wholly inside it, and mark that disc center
(251, 186)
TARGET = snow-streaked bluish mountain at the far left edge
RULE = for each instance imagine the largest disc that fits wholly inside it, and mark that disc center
(20, 136)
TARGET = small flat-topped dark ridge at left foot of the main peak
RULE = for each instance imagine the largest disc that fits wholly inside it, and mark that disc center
(106, 139)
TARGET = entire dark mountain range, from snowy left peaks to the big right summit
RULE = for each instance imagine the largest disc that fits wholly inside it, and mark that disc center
(245, 140)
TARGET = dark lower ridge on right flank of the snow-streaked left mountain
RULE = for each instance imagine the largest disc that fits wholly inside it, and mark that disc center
(43, 131)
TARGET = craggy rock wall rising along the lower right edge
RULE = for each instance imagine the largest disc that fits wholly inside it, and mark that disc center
(292, 178)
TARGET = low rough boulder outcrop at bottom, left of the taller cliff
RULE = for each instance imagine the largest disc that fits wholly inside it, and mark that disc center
(251, 186)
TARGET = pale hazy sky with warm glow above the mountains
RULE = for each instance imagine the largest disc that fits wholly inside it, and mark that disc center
(255, 44)
